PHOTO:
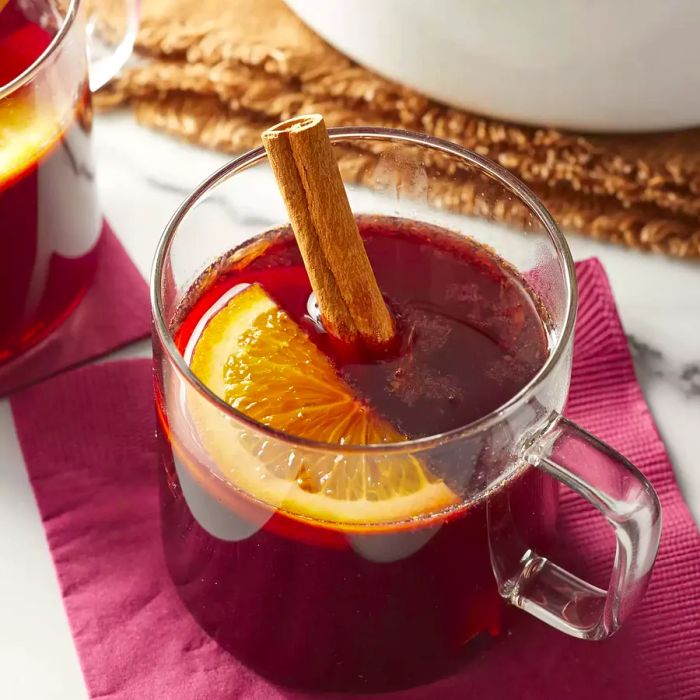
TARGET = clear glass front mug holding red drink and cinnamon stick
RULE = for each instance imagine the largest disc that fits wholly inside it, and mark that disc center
(385, 605)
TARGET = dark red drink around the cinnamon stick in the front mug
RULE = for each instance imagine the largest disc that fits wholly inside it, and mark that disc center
(309, 605)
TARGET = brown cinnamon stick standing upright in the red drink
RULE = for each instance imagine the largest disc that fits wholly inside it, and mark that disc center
(351, 304)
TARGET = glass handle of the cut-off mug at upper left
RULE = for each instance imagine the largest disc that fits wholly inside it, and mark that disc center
(107, 58)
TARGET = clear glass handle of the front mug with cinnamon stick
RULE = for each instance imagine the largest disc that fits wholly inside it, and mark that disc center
(627, 501)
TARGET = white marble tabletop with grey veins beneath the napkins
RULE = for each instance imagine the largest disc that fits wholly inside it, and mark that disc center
(143, 176)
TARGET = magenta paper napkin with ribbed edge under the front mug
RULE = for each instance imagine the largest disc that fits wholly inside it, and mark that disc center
(87, 437)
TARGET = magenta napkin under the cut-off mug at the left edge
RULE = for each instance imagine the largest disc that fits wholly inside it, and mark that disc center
(114, 312)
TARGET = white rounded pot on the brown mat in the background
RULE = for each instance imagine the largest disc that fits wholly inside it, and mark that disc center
(599, 65)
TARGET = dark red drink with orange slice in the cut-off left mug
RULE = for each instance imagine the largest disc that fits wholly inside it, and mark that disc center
(49, 223)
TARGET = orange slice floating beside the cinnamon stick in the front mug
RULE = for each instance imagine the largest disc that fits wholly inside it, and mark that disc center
(253, 356)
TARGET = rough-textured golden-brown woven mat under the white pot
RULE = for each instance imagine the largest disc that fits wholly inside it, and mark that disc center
(217, 72)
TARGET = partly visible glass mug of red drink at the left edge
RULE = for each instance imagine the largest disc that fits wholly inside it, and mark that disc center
(50, 223)
